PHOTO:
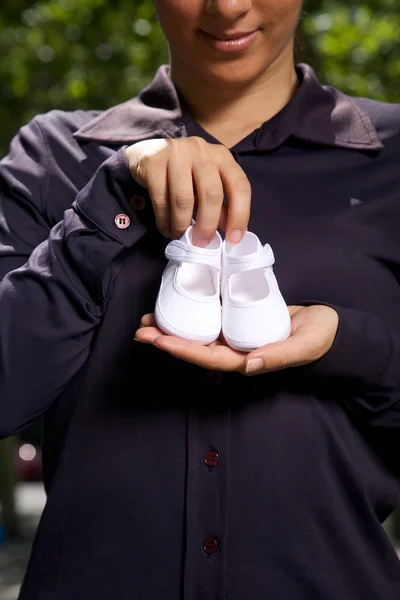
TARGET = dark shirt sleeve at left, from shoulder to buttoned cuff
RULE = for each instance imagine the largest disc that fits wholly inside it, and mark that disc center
(55, 276)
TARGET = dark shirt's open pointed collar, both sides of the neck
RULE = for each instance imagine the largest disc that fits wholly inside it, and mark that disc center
(316, 114)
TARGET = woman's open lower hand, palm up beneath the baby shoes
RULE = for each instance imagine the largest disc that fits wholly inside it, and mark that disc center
(313, 332)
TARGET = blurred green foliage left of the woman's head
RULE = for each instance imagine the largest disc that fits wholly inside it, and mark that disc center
(73, 54)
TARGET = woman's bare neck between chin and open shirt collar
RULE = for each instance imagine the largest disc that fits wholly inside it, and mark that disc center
(228, 112)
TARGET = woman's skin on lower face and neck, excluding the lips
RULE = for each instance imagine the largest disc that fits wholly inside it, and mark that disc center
(233, 94)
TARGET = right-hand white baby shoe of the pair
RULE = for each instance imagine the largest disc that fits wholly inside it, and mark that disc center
(254, 312)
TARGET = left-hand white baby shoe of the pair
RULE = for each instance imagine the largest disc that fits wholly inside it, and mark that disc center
(188, 303)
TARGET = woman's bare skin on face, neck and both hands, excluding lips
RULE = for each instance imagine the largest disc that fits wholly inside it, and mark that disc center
(230, 95)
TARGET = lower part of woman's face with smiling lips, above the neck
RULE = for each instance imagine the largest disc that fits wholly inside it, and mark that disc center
(191, 27)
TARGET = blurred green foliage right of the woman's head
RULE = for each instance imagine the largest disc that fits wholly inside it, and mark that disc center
(356, 45)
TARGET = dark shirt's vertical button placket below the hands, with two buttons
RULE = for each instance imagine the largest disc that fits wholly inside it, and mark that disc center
(207, 493)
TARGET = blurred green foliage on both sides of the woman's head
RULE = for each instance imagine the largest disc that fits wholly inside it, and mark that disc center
(95, 53)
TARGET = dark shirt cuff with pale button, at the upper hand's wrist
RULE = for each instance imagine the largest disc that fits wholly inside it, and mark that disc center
(114, 202)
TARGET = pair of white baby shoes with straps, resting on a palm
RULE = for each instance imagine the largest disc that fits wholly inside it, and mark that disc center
(253, 312)
